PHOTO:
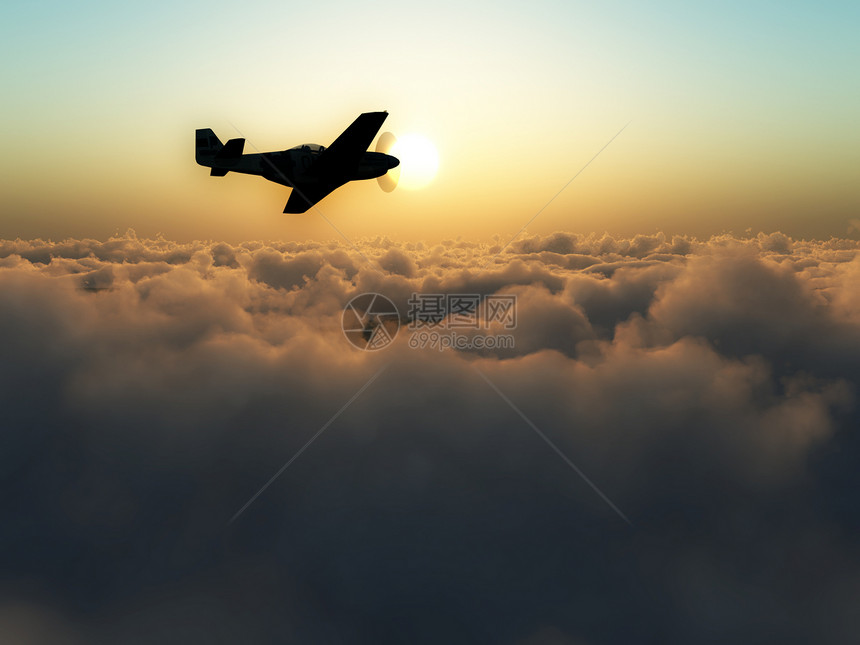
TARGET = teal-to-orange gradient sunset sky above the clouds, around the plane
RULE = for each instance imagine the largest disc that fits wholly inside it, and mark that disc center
(742, 115)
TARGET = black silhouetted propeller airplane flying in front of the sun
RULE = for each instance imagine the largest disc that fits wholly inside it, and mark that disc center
(311, 170)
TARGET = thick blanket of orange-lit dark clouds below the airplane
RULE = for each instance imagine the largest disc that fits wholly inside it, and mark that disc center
(707, 388)
